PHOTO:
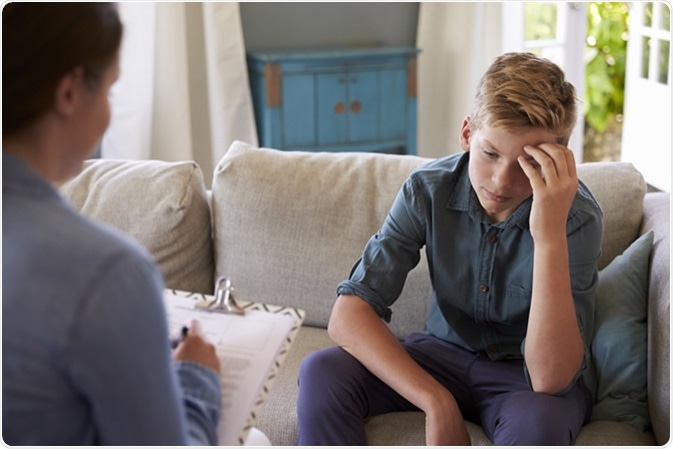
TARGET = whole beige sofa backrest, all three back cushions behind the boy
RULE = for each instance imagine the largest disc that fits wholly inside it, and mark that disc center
(288, 226)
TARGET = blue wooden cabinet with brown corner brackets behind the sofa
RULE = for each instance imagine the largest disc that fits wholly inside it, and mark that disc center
(359, 99)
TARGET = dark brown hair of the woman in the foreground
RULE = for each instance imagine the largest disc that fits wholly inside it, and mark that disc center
(41, 43)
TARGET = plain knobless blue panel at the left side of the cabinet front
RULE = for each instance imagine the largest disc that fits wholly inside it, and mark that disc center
(298, 114)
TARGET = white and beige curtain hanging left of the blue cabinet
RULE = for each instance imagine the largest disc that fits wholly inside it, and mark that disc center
(183, 93)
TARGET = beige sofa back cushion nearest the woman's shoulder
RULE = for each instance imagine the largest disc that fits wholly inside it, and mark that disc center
(163, 205)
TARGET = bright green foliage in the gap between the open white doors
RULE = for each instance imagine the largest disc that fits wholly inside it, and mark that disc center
(607, 35)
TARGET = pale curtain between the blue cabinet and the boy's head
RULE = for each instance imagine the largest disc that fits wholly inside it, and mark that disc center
(458, 41)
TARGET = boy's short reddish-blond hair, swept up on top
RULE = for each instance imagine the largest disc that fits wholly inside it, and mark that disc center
(522, 90)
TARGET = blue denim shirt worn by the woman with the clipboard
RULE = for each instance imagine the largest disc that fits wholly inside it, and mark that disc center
(85, 347)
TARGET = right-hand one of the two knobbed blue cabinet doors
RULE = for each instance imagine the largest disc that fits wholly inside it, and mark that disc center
(363, 113)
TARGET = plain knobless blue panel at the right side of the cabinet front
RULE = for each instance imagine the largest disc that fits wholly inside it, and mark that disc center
(393, 122)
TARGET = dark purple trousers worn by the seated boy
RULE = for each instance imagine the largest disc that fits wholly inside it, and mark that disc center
(336, 393)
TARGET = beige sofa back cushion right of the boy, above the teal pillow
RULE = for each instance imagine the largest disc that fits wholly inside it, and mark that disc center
(619, 189)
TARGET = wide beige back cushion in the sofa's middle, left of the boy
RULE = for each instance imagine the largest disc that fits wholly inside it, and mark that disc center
(303, 219)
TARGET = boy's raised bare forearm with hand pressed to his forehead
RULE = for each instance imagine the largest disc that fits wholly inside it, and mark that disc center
(554, 347)
